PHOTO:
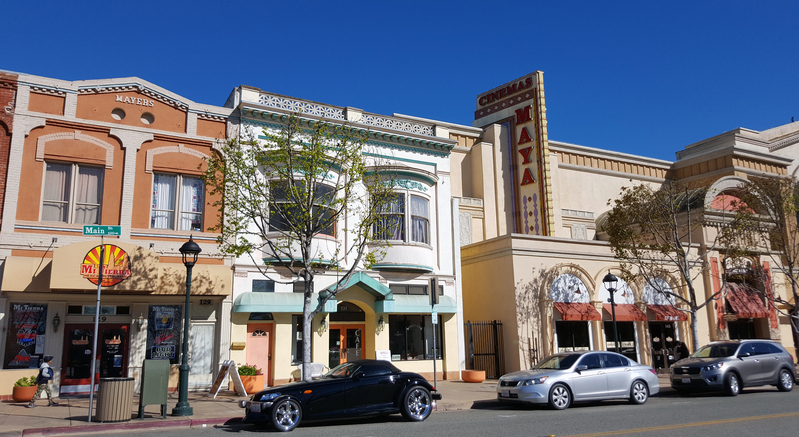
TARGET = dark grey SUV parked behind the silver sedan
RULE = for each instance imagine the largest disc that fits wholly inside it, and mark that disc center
(733, 365)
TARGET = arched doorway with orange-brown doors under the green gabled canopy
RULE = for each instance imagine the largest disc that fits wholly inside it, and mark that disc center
(346, 334)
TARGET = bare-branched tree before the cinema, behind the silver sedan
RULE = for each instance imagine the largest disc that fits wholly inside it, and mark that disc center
(660, 232)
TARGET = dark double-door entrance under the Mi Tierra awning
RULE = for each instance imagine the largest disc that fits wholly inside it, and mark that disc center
(112, 355)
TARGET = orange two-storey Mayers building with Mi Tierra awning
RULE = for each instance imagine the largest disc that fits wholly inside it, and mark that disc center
(119, 153)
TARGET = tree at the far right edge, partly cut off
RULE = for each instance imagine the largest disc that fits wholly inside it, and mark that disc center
(766, 222)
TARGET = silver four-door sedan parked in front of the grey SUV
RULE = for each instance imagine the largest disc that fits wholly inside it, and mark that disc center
(579, 376)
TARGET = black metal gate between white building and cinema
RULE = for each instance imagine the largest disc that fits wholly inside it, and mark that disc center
(485, 347)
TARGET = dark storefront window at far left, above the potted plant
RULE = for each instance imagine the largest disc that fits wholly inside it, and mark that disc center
(25, 336)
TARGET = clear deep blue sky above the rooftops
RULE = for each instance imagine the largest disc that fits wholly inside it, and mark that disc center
(638, 76)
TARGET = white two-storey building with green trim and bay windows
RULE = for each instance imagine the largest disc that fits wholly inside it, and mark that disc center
(384, 311)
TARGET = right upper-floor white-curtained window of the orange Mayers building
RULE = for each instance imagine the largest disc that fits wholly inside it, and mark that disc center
(177, 202)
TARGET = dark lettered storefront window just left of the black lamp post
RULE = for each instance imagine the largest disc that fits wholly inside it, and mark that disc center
(163, 332)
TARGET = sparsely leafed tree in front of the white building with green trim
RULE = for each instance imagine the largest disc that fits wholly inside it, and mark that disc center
(277, 195)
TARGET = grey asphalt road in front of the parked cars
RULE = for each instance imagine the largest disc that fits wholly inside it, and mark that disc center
(756, 412)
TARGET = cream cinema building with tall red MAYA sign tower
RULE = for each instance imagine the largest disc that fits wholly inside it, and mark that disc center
(534, 254)
